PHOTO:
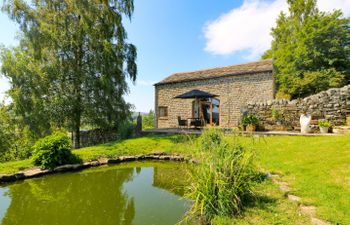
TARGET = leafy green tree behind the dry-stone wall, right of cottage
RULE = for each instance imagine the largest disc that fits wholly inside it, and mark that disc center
(310, 49)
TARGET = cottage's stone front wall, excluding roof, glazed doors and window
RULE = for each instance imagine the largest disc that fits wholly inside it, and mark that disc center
(234, 92)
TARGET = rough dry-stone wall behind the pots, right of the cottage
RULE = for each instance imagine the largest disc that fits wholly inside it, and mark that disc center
(333, 105)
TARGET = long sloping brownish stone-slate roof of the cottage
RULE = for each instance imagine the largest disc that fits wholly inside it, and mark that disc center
(246, 68)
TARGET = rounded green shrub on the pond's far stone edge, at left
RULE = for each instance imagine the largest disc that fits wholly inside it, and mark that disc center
(53, 150)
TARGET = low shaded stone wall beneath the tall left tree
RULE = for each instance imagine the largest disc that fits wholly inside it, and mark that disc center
(94, 137)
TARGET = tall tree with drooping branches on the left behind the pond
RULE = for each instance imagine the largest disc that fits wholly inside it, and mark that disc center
(79, 61)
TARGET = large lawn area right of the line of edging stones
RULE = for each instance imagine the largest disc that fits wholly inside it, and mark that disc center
(317, 168)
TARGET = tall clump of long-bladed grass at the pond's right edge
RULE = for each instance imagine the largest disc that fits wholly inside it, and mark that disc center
(223, 179)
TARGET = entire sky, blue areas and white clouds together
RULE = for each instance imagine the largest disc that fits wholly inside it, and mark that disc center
(184, 35)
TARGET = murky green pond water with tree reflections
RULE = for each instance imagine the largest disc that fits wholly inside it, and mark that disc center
(139, 193)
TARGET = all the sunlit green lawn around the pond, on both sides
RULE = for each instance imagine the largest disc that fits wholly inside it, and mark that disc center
(317, 169)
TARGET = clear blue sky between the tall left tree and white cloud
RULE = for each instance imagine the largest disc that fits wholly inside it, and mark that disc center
(169, 37)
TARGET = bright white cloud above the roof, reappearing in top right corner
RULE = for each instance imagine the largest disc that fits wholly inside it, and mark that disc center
(248, 27)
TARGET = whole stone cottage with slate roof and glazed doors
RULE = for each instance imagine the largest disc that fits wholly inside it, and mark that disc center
(230, 88)
